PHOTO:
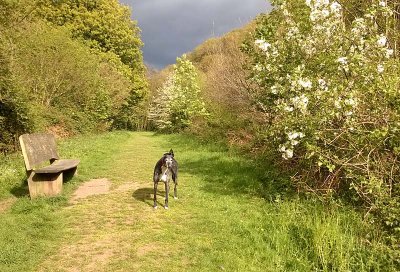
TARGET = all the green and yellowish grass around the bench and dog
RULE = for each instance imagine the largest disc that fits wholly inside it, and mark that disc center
(223, 220)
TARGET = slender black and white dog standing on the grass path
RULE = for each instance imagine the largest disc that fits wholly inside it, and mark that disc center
(165, 169)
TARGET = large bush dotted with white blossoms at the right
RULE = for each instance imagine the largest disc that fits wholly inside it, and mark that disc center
(314, 76)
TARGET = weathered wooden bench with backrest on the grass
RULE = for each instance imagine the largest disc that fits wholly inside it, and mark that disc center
(43, 165)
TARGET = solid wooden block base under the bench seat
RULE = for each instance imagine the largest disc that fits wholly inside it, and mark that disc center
(44, 184)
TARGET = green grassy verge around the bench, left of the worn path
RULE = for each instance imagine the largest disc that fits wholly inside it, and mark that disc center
(32, 230)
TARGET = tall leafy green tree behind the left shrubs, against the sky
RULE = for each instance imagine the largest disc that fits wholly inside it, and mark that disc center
(106, 27)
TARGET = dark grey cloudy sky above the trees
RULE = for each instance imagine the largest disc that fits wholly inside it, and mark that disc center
(171, 28)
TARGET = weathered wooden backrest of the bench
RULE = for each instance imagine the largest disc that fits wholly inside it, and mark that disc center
(38, 148)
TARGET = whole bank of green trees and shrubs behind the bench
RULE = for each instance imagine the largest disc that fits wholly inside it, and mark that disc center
(80, 62)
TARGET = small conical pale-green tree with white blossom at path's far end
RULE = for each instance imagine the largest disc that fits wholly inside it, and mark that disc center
(178, 101)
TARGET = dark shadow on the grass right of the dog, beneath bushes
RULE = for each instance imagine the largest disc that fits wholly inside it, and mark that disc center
(226, 174)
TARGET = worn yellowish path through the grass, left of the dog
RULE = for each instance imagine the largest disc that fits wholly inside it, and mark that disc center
(110, 218)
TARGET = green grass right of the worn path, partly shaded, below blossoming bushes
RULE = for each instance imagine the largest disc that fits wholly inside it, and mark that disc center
(245, 228)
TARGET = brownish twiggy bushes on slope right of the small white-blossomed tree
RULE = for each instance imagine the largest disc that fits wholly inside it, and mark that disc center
(232, 118)
